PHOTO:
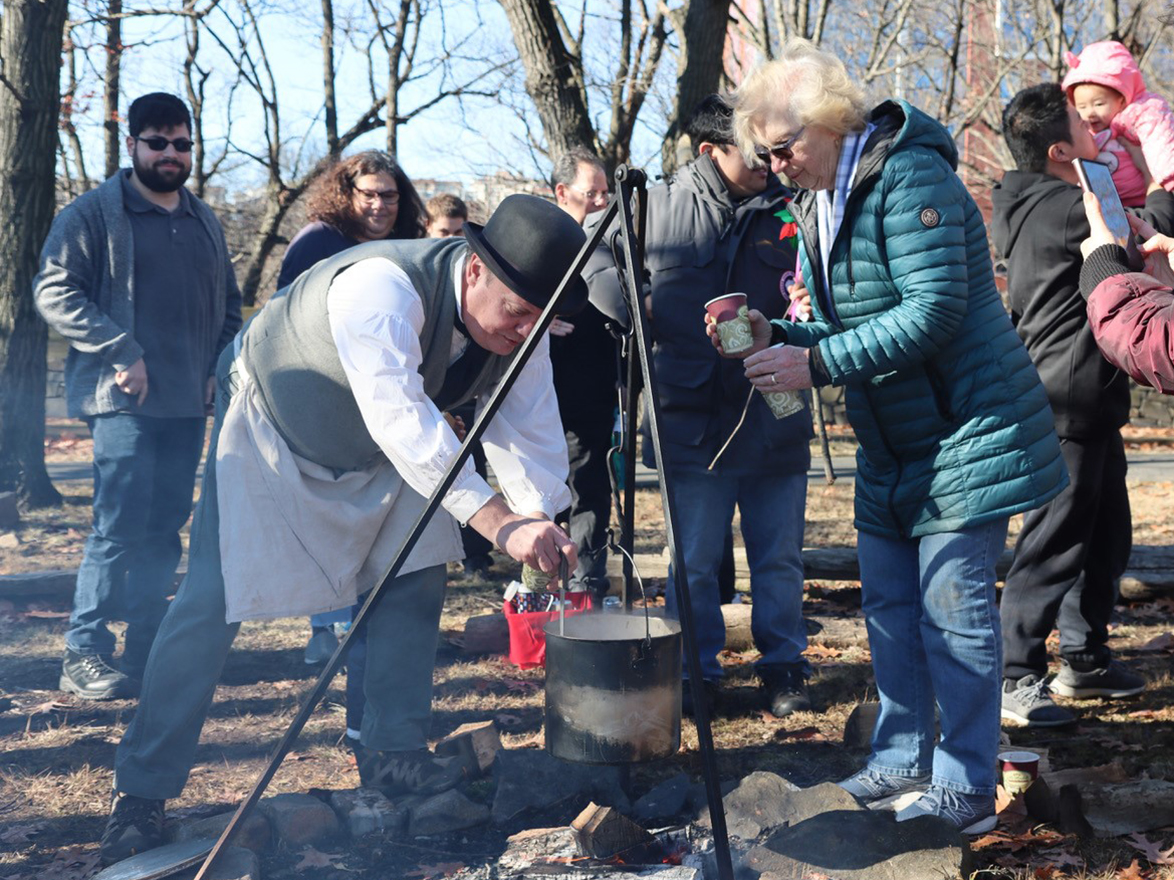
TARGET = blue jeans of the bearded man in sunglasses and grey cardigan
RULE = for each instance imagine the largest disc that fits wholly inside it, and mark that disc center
(145, 471)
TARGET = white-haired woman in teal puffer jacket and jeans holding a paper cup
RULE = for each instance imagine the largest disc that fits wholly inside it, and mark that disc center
(955, 430)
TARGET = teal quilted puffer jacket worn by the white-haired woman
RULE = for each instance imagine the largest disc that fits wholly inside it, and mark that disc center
(954, 425)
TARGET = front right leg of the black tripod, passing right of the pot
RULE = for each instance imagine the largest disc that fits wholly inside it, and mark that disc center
(633, 180)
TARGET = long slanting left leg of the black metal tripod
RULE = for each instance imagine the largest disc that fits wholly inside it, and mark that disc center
(320, 688)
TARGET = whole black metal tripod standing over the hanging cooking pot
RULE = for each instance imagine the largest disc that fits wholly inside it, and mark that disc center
(629, 206)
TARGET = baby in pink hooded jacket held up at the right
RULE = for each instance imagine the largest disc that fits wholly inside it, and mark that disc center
(1105, 85)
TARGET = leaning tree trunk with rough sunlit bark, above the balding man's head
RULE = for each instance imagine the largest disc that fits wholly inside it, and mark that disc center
(551, 76)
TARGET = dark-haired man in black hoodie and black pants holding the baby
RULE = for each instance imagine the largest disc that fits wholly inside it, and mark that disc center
(1074, 550)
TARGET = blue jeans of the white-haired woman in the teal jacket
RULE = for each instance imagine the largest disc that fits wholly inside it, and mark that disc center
(934, 631)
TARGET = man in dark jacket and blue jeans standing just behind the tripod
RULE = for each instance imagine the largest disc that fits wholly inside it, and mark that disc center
(721, 227)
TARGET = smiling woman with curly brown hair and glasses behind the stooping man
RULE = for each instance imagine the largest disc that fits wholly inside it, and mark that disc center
(362, 199)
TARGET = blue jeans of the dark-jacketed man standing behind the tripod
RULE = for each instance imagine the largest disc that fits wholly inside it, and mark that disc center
(773, 511)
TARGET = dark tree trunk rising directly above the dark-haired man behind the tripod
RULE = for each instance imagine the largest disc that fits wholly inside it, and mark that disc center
(700, 67)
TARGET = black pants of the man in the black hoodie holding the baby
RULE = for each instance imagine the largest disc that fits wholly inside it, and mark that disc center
(1069, 559)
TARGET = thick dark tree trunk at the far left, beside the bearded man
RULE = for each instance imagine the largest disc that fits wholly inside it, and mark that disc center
(31, 39)
